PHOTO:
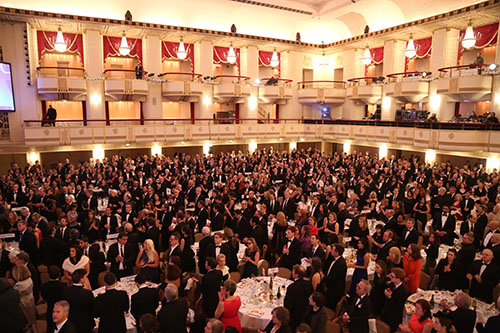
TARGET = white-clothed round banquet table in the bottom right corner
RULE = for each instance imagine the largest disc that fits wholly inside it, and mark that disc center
(483, 310)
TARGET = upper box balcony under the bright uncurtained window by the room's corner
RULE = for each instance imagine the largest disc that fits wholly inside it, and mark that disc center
(322, 92)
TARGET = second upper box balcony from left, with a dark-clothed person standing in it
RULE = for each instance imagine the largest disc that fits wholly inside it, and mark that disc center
(120, 86)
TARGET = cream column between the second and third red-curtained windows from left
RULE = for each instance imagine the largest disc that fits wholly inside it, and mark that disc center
(152, 64)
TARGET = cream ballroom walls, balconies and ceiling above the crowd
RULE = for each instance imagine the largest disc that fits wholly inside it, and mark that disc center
(204, 77)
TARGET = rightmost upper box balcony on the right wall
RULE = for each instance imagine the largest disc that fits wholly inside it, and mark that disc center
(464, 83)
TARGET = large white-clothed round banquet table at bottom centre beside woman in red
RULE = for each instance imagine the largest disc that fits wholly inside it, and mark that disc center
(255, 310)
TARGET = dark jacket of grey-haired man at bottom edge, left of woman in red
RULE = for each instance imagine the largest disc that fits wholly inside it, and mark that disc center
(172, 316)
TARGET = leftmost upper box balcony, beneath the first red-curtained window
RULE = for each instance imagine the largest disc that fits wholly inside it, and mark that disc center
(58, 83)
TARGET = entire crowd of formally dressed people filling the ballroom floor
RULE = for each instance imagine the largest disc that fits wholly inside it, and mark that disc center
(292, 210)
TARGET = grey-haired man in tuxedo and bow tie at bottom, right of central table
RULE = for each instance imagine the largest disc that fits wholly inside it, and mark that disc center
(359, 309)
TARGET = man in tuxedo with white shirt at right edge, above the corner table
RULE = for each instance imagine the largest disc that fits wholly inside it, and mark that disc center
(484, 277)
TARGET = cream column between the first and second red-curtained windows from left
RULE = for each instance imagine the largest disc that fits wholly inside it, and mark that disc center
(94, 65)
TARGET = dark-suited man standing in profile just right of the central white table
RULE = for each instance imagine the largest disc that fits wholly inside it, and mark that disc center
(335, 276)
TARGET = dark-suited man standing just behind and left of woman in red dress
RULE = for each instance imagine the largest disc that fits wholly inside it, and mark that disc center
(209, 287)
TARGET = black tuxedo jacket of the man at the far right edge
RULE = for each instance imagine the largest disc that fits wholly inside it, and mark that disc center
(489, 279)
